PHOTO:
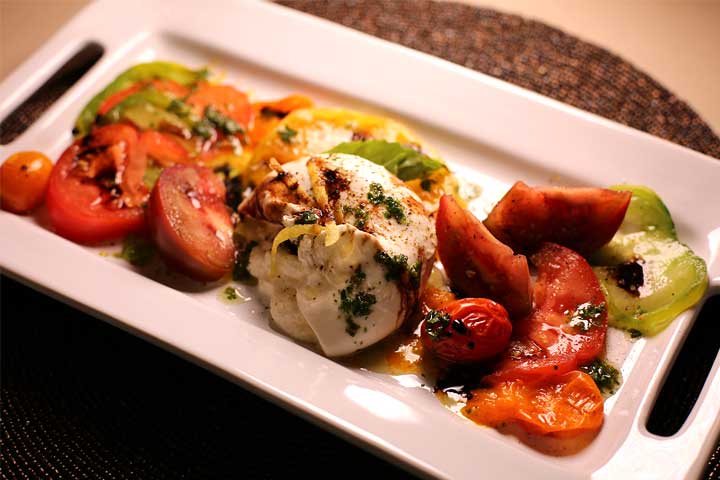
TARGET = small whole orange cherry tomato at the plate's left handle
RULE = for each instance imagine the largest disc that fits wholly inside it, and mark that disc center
(23, 180)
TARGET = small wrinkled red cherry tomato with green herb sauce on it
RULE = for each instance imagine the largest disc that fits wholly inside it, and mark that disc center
(467, 330)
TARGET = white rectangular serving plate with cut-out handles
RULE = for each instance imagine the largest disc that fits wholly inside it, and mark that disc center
(490, 132)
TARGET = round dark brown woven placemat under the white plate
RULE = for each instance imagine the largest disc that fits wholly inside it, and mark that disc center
(82, 399)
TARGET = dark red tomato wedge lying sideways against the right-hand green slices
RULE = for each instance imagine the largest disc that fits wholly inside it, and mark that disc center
(583, 219)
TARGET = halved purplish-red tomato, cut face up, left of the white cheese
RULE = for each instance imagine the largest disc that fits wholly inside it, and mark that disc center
(190, 223)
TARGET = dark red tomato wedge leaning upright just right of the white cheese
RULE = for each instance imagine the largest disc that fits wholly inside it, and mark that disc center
(479, 265)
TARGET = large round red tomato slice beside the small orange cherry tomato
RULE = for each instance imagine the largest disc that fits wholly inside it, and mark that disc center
(96, 189)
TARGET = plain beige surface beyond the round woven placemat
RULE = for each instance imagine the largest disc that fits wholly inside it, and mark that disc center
(675, 41)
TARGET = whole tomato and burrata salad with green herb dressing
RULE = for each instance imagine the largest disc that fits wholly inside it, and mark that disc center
(359, 239)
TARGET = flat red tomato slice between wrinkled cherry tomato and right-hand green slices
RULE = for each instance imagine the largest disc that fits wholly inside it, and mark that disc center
(567, 327)
